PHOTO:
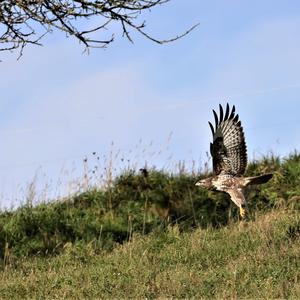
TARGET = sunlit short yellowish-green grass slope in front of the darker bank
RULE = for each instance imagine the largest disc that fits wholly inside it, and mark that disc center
(255, 259)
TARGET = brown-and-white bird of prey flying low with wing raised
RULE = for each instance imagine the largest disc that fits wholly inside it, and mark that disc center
(229, 154)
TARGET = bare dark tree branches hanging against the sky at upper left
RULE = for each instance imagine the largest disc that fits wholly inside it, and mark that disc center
(25, 22)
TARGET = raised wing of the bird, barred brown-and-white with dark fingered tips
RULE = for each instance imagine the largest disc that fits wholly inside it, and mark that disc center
(228, 149)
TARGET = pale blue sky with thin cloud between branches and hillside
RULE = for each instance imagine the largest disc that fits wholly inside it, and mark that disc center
(147, 102)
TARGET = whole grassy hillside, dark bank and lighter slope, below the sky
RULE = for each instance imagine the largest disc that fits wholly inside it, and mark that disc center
(154, 234)
